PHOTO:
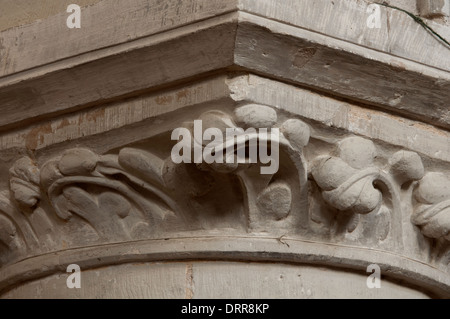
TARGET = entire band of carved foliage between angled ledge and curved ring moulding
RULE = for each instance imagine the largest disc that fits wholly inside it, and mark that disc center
(348, 194)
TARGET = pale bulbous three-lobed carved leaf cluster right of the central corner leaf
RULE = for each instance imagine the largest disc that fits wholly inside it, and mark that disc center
(353, 184)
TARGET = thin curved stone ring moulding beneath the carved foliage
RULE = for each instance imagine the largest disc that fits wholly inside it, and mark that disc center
(252, 248)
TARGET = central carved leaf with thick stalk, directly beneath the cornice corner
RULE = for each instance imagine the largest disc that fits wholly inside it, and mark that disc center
(268, 198)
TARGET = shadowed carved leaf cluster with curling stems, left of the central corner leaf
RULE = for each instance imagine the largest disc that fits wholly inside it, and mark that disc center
(102, 190)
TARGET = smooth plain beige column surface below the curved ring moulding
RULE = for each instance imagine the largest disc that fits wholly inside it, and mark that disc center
(210, 280)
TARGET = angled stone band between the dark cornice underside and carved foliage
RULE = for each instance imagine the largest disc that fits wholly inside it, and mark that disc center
(140, 114)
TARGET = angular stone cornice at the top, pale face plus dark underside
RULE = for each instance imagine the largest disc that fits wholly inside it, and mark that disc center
(398, 75)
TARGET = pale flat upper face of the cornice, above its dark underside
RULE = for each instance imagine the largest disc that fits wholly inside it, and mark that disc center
(149, 17)
